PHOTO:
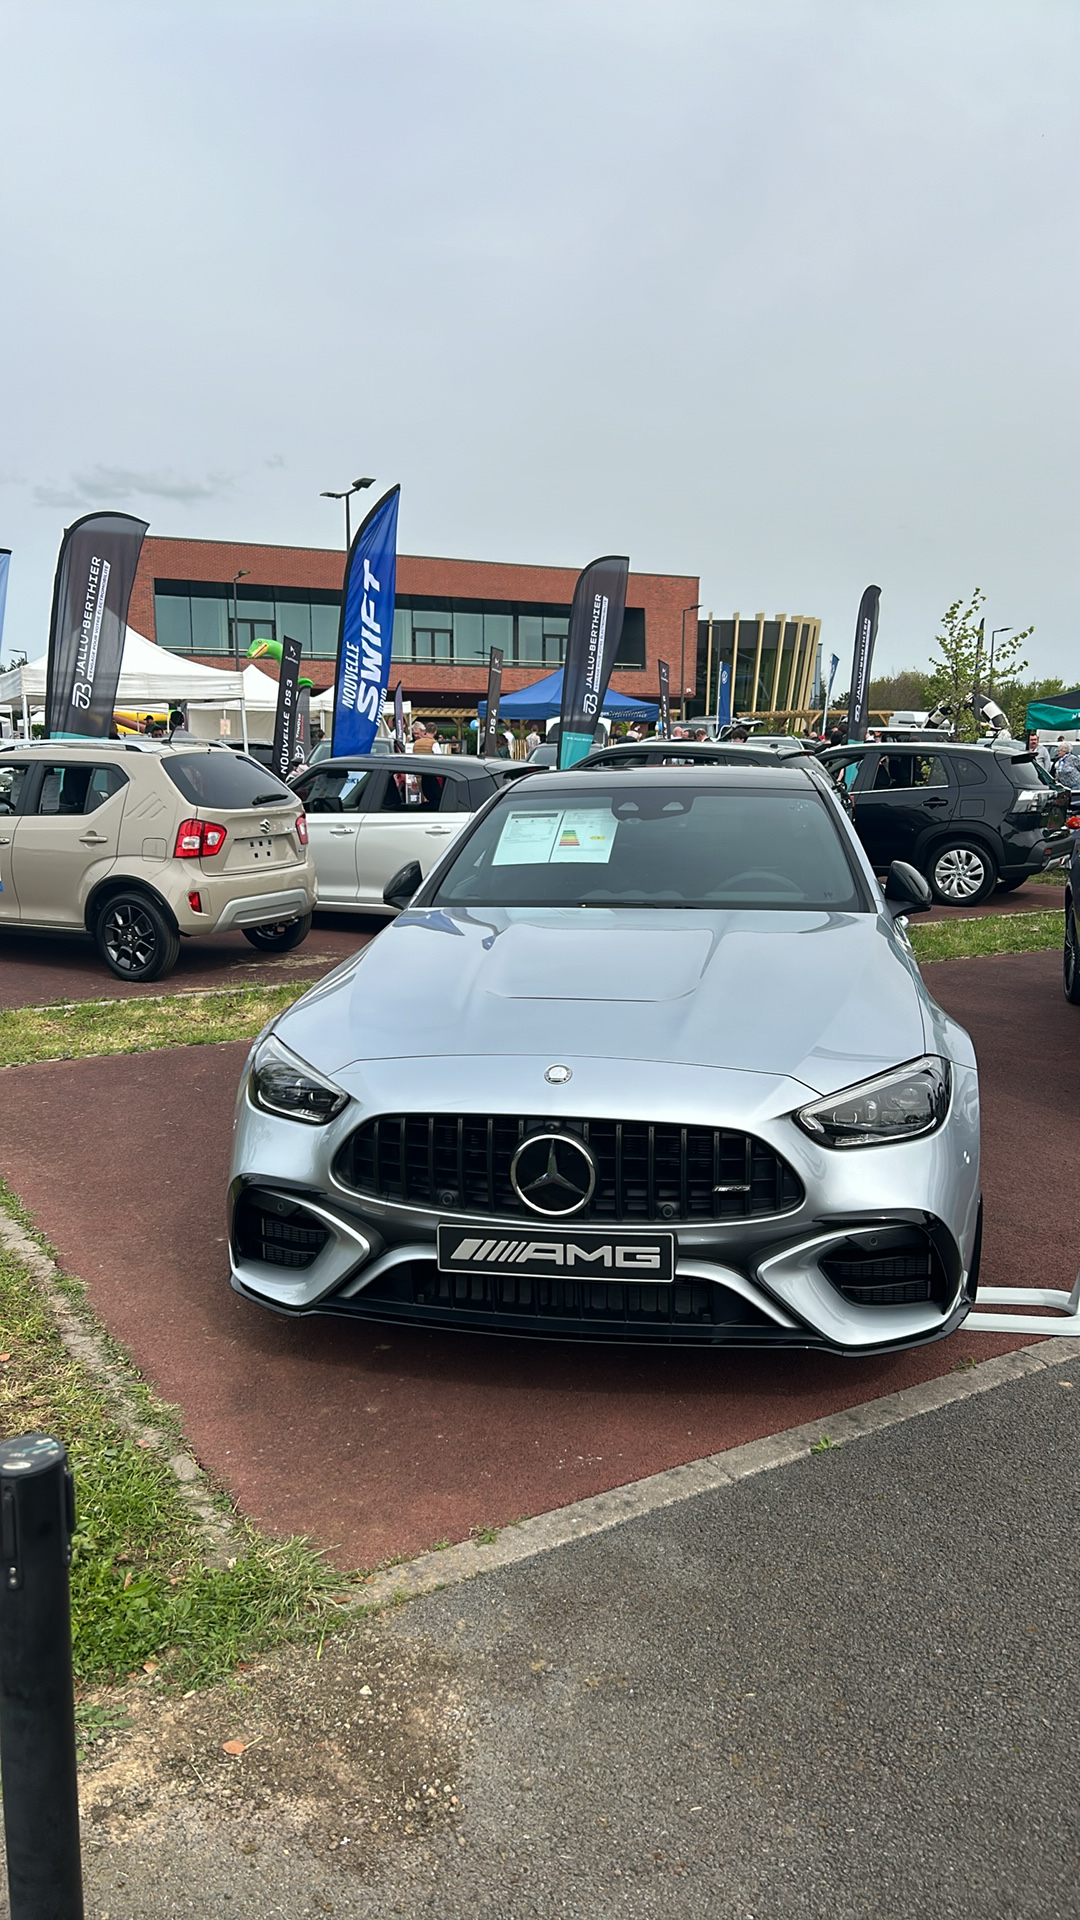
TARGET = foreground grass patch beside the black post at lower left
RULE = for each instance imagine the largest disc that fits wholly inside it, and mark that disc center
(141, 1595)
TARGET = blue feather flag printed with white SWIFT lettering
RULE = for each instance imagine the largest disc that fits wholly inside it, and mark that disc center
(368, 629)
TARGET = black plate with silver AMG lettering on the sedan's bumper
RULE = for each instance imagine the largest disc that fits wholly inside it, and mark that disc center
(558, 1253)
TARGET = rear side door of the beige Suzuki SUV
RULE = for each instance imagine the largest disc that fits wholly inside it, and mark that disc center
(66, 840)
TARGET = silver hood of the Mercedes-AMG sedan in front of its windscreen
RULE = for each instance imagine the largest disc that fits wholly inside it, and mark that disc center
(825, 999)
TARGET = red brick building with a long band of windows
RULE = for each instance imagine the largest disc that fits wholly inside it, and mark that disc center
(449, 615)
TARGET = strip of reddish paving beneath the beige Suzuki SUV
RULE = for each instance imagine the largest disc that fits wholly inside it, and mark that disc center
(37, 969)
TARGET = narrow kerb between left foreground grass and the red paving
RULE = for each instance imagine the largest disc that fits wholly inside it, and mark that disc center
(91, 1351)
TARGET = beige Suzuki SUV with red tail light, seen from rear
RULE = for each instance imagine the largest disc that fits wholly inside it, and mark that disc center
(147, 844)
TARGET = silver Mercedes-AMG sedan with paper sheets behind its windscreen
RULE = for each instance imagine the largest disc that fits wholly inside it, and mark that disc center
(645, 1059)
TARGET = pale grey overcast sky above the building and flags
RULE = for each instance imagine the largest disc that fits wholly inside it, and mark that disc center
(783, 293)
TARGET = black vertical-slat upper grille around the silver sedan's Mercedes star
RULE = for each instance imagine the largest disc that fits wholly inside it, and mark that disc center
(460, 1164)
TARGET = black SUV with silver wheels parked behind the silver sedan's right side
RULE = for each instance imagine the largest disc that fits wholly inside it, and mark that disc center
(970, 819)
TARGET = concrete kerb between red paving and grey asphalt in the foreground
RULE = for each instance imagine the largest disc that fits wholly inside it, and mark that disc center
(602, 1512)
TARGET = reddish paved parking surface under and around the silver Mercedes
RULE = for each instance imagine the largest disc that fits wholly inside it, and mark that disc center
(389, 1441)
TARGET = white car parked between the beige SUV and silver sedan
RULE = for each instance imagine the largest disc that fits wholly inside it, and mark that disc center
(372, 813)
